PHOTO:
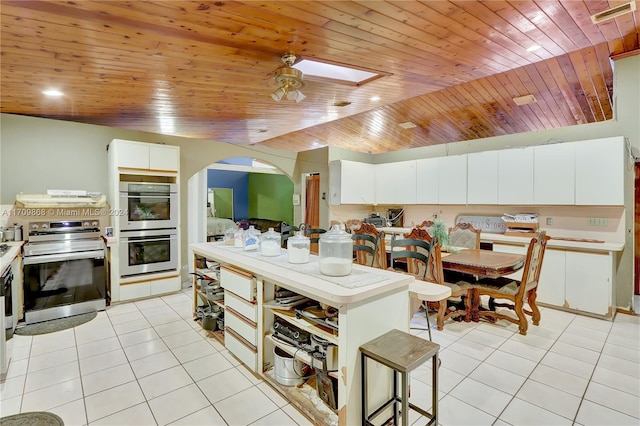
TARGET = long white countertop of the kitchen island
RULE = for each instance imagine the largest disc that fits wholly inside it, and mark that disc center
(363, 283)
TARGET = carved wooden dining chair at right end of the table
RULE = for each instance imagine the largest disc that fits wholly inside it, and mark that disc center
(516, 293)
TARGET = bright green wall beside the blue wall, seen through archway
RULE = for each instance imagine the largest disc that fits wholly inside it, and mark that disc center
(270, 197)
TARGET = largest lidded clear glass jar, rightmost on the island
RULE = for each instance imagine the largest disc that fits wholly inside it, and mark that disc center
(336, 252)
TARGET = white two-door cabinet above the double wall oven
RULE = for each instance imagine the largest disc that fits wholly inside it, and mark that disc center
(146, 156)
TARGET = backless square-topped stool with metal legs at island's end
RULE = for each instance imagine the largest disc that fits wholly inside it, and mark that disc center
(403, 353)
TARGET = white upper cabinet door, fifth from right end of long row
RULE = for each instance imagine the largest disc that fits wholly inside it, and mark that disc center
(452, 180)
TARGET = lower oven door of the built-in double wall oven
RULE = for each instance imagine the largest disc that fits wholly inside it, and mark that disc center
(150, 251)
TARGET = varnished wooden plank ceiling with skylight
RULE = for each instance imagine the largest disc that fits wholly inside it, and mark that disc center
(205, 69)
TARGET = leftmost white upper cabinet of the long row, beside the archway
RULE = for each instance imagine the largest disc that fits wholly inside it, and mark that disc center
(352, 182)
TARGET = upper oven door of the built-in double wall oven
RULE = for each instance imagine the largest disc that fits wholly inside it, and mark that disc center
(148, 206)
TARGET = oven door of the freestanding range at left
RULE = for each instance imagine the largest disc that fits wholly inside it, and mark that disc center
(64, 284)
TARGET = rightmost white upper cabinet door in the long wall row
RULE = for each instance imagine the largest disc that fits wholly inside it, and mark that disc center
(600, 166)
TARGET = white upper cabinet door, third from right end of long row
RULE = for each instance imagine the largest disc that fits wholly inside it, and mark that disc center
(515, 176)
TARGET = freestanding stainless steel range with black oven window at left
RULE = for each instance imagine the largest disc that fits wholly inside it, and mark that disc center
(65, 271)
